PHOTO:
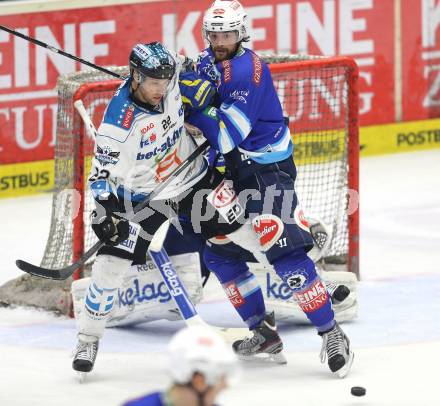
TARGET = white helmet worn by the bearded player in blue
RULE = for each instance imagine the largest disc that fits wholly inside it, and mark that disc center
(226, 15)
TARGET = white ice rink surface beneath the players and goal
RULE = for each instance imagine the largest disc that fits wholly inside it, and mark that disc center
(396, 337)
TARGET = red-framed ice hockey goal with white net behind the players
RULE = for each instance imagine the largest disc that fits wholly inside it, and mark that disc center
(319, 95)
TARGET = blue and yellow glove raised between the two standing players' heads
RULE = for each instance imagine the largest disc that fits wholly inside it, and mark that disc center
(197, 93)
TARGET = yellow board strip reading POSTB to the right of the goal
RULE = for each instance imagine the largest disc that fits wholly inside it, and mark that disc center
(400, 137)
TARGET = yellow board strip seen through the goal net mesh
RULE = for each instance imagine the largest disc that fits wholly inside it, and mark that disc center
(317, 147)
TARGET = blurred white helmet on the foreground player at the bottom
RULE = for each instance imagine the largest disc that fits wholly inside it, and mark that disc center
(199, 349)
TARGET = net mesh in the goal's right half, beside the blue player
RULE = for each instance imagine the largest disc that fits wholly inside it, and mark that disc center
(316, 103)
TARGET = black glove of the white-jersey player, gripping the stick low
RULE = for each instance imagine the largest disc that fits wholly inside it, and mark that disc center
(109, 228)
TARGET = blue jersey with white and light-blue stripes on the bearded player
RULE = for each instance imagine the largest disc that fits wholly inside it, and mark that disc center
(250, 116)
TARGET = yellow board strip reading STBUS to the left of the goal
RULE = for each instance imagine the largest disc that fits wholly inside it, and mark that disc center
(26, 178)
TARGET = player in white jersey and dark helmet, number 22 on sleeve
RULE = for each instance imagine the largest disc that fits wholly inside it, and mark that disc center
(140, 141)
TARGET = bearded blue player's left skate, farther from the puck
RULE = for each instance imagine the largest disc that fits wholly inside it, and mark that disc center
(265, 340)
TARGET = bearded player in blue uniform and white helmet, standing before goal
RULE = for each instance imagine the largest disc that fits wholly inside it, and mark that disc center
(246, 125)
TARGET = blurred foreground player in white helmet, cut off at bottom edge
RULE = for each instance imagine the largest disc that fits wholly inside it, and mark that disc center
(200, 363)
